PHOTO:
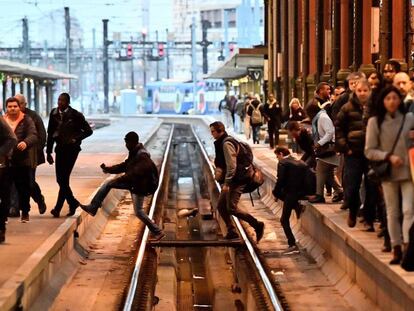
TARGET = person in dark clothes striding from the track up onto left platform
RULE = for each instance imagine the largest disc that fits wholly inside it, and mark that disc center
(140, 178)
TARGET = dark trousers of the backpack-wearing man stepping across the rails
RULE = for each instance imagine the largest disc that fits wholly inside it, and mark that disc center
(227, 206)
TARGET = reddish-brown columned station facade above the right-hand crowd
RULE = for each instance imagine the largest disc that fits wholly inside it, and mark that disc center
(309, 41)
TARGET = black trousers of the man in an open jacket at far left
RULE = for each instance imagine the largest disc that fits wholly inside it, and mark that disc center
(21, 177)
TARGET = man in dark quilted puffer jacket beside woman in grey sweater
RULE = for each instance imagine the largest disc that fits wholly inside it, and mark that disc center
(350, 140)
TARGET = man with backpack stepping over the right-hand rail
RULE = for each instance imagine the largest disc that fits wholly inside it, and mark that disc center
(233, 171)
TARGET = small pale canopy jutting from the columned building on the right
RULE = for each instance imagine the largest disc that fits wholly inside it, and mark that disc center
(237, 66)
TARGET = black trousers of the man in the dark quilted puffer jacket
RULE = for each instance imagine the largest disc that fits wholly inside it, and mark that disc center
(354, 168)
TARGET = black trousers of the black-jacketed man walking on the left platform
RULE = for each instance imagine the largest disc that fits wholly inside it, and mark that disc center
(64, 162)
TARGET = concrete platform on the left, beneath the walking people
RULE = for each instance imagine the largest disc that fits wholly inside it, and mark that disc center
(32, 247)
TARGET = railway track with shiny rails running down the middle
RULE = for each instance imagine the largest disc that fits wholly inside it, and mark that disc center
(194, 268)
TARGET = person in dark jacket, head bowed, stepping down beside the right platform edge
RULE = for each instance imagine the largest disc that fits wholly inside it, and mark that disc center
(290, 182)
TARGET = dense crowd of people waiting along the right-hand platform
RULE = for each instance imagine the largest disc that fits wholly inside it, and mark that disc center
(357, 138)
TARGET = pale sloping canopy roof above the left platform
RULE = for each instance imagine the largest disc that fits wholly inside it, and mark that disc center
(25, 70)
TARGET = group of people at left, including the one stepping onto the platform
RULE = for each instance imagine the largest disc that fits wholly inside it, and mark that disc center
(23, 138)
